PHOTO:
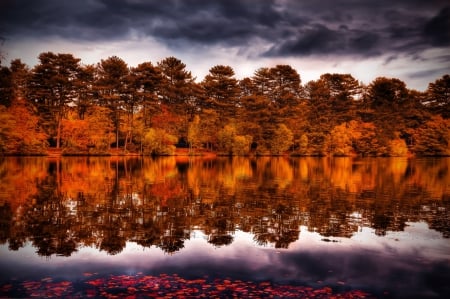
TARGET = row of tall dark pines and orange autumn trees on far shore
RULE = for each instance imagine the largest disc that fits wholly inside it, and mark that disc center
(65, 107)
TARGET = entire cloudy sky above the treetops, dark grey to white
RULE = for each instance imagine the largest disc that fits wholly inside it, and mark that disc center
(404, 39)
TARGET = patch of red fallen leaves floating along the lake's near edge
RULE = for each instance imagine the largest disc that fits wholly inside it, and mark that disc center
(169, 286)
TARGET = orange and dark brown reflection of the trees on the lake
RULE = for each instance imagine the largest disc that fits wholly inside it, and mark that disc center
(152, 203)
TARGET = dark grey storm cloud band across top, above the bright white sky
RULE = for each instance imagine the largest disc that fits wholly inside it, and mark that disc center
(286, 27)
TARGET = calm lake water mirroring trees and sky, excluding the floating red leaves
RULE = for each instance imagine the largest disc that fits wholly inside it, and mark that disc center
(377, 225)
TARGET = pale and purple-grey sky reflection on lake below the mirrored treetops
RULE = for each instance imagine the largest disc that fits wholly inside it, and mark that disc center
(401, 263)
